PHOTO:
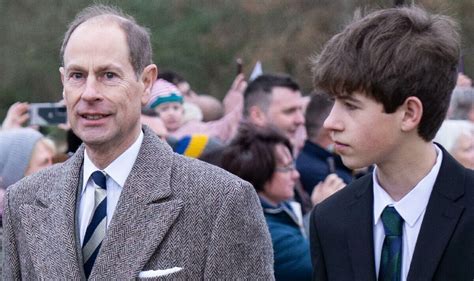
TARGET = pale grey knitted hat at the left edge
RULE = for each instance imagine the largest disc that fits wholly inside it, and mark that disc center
(16, 148)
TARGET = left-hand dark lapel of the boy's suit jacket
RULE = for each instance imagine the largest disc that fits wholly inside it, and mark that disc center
(359, 231)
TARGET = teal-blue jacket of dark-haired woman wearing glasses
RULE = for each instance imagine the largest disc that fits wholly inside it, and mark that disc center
(290, 245)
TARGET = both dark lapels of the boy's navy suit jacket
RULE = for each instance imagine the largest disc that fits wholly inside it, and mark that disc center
(442, 214)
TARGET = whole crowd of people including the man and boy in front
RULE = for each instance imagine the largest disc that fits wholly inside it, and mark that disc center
(122, 201)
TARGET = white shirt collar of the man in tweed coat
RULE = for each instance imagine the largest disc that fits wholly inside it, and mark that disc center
(119, 169)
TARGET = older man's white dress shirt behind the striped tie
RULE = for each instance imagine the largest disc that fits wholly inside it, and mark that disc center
(117, 173)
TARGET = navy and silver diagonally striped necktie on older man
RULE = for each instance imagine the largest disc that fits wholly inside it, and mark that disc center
(97, 227)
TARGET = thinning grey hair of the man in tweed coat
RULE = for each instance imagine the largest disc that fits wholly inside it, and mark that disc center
(138, 37)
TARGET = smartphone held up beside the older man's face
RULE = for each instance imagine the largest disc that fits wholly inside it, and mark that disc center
(44, 114)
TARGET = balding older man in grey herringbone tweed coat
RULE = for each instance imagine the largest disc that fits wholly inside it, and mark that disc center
(124, 206)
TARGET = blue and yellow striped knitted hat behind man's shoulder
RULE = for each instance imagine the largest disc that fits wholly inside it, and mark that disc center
(196, 145)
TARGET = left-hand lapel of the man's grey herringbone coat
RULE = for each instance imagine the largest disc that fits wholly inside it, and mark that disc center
(49, 224)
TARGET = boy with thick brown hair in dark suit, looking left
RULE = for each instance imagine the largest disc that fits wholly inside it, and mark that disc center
(391, 74)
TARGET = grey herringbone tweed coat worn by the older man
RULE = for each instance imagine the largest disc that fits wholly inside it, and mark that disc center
(173, 212)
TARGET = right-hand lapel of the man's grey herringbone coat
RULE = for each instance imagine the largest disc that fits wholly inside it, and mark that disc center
(144, 213)
